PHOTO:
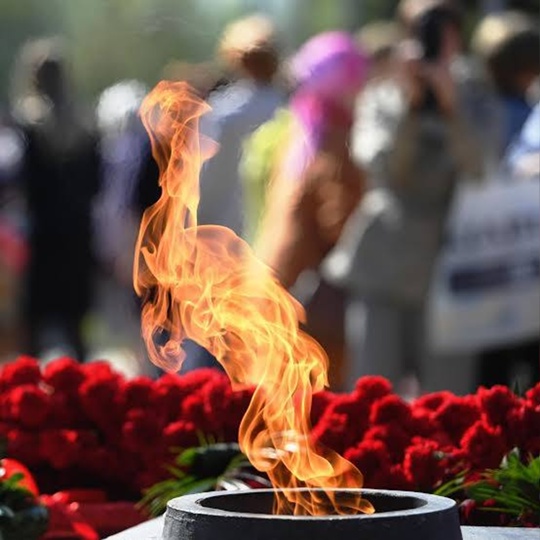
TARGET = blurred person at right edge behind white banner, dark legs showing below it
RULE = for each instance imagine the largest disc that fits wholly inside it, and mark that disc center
(508, 42)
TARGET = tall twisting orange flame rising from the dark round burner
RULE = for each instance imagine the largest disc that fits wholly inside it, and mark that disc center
(204, 283)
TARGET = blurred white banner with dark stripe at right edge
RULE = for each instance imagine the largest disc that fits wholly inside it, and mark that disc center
(486, 290)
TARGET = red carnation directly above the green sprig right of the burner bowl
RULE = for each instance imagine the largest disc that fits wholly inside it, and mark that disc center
(484, 445)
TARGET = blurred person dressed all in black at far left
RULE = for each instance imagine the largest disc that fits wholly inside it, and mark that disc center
(60, 177)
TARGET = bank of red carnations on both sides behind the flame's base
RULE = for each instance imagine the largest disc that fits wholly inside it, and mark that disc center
(87, 426)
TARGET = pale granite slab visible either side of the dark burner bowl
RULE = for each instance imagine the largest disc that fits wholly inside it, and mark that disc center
(151, 530)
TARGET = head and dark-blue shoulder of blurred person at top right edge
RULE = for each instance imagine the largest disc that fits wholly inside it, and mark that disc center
(509, 45)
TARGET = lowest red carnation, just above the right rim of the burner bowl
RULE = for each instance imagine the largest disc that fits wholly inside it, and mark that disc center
(422, 464)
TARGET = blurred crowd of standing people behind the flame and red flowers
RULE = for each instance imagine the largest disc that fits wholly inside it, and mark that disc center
(338, 163)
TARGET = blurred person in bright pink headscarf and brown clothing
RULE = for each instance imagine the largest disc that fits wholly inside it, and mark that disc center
(313, 186)
